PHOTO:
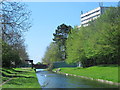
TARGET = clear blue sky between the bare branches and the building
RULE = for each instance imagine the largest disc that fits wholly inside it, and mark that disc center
(45, 18)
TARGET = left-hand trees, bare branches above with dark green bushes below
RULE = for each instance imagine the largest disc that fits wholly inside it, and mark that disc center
(15, 20)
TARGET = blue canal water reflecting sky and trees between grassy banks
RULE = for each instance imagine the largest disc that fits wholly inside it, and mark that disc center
(49, 79)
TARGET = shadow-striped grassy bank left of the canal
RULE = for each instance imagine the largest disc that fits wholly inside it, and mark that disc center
(21, 78)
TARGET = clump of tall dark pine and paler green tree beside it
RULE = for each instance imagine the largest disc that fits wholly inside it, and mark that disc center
(56, 51)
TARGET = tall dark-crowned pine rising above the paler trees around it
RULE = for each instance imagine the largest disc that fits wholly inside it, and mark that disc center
(60, 37)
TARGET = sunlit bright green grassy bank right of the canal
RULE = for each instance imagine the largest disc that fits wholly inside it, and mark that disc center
(105, 72)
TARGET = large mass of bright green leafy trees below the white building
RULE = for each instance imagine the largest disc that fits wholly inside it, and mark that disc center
(97, 43)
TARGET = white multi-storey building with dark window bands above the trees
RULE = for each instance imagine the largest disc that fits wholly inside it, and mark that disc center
(91, 15)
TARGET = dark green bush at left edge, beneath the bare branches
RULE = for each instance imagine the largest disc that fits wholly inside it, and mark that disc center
(10, 57)
